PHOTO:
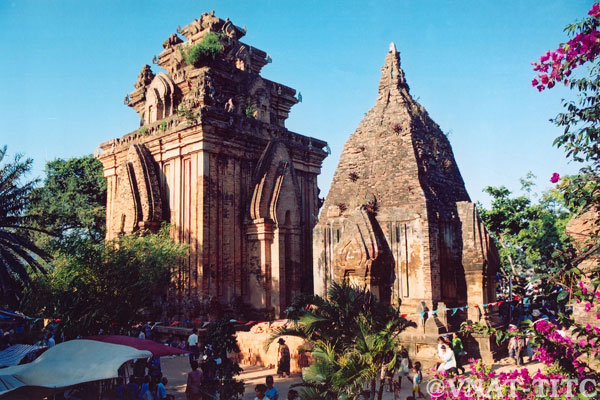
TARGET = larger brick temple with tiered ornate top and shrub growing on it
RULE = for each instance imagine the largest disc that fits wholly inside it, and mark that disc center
(212, 156)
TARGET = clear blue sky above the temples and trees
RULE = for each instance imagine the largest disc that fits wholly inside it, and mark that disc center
(65, 67)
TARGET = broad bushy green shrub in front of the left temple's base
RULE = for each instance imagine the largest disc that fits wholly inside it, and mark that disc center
(108, 284)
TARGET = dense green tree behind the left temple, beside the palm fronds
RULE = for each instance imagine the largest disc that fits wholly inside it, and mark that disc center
(71, 203)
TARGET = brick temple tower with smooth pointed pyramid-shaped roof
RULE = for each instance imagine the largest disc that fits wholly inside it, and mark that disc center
(398, 217)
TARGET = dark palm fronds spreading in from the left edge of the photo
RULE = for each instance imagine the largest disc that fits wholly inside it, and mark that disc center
(19, 257)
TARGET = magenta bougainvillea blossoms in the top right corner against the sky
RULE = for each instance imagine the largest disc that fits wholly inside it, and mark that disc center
(556, 66)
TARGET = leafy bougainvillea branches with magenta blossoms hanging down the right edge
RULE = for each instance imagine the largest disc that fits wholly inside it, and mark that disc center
(581, 133)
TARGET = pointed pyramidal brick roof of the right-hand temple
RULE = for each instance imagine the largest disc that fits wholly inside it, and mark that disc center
(397, 156)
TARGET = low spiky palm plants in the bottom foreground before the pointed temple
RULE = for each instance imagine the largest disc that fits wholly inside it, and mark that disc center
(354, 336)
